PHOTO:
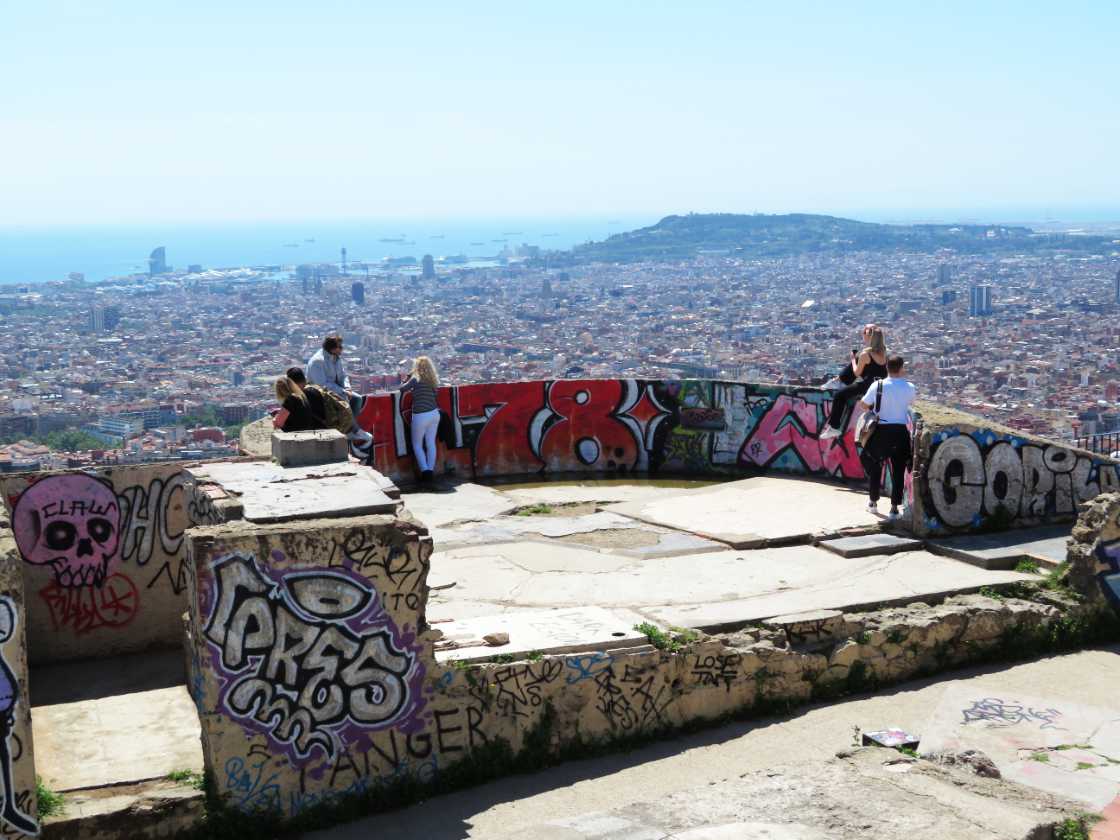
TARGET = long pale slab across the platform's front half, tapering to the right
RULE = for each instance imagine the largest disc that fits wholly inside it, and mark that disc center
(712, 590)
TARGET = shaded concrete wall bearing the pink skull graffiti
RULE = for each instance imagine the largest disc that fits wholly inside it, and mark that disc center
(102, 557)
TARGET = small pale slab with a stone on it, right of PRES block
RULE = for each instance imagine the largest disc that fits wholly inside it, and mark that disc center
(548, 631)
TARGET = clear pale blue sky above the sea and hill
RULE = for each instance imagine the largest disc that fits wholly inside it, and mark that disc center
(207, 111)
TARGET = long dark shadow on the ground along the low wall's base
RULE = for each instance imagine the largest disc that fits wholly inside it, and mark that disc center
(450, 817)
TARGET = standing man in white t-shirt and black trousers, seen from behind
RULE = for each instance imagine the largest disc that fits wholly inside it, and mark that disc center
(891, 441)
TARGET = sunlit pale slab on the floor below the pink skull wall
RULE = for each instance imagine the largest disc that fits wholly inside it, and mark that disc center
(117, 740)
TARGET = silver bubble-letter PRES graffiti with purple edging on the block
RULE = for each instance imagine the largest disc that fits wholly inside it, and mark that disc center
(309, 658)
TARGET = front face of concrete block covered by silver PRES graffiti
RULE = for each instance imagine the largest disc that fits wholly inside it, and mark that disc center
(305, 649)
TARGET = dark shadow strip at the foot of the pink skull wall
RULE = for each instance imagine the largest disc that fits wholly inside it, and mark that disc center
(73, 683)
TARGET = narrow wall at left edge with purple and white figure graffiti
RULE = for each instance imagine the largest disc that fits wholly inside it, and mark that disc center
(18, 808)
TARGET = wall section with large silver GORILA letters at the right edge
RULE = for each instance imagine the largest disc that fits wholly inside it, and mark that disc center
(975, 478)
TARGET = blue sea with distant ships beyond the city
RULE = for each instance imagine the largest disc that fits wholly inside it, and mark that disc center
(39, 256)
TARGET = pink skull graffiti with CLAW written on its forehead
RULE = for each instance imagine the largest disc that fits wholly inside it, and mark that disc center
(71, 524)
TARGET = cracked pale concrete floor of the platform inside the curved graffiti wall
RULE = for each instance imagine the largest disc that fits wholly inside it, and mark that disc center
(503, 564)
